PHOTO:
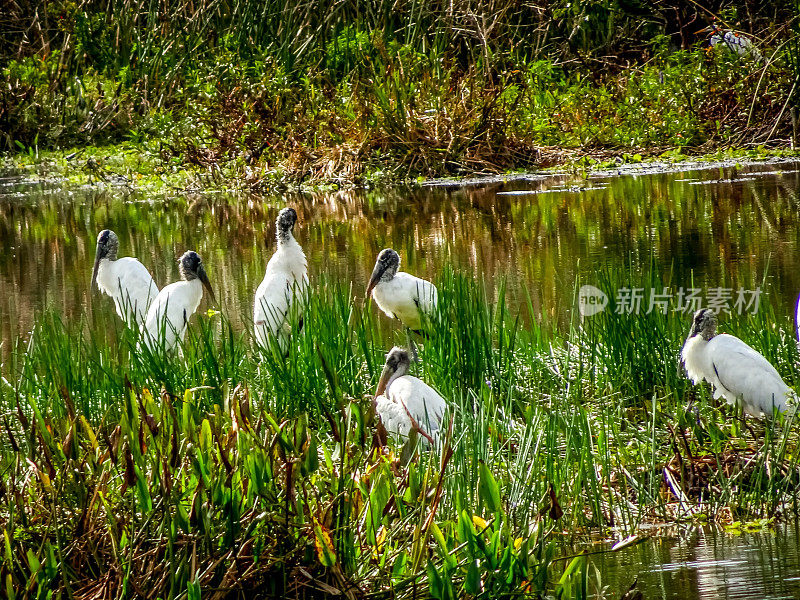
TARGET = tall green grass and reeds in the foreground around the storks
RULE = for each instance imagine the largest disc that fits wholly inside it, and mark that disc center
(220, 468)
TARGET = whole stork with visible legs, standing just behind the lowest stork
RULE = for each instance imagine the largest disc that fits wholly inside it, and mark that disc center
(400, 295)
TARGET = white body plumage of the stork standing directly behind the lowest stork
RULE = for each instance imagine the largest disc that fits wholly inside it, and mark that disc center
(405, 297)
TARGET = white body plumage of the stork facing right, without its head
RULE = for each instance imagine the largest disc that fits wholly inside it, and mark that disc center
(170, 312)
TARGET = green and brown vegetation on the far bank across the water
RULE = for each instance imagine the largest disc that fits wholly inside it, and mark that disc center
(274, 94)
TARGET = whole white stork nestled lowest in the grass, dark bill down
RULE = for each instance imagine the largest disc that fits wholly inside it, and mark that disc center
(405, 403)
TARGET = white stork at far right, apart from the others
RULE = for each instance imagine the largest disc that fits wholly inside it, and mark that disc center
(737, 372)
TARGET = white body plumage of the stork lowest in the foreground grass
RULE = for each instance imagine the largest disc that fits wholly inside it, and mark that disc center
(407, 397)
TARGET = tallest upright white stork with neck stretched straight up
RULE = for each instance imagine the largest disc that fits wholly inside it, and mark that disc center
(285, 281)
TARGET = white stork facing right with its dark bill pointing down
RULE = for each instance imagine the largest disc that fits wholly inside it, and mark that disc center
(176, 303)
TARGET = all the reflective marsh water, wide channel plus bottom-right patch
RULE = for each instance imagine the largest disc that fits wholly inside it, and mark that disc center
(707, 227)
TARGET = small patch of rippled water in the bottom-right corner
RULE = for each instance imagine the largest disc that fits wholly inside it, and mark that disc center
(705, 564)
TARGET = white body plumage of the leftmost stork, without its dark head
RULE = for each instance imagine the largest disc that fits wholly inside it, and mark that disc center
(130, 285)
